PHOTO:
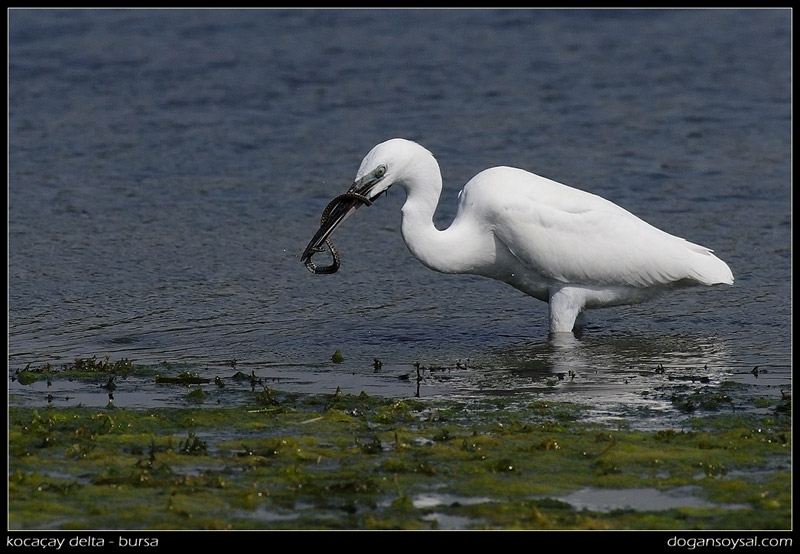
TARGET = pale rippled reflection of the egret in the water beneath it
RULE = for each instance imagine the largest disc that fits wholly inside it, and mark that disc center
(633, 377)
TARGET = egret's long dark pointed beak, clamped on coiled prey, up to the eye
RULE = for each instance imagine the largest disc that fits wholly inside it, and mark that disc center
(363, 191)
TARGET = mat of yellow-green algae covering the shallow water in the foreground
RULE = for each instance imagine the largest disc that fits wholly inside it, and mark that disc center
(341, 461)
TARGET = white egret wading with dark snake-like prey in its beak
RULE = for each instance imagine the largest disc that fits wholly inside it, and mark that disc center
(569, 248)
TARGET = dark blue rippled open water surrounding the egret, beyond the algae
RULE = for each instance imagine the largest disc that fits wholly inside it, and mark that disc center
(167, 168)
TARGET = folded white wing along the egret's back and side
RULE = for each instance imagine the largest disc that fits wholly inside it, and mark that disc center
(573, 236)
